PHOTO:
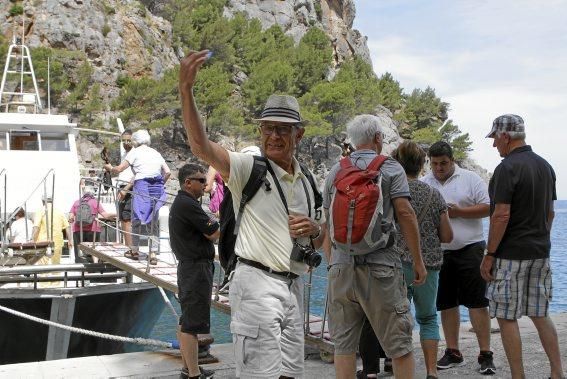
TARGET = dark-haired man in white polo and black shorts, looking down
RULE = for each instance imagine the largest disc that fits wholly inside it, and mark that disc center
(460, 282)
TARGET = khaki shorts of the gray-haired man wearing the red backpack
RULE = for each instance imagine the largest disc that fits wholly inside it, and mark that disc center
(377, 291)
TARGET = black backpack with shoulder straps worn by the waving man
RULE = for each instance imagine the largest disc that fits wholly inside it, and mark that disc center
(229, 224)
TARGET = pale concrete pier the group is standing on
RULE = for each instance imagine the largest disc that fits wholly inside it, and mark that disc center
(166, 364)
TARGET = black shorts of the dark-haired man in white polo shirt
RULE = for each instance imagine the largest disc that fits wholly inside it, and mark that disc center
(460, 282)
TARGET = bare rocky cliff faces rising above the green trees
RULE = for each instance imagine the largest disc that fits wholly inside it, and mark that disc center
(128, 37)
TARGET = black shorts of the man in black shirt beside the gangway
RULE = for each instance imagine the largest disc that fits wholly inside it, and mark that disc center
(195, 282)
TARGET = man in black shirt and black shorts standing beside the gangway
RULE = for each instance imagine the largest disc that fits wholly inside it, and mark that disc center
(192, 233)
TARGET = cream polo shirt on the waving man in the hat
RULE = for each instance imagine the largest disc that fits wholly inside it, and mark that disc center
(264, 232)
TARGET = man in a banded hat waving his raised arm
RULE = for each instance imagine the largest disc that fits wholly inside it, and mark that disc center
(266, 290)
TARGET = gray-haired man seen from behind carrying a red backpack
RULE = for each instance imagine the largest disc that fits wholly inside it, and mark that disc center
(371, 284)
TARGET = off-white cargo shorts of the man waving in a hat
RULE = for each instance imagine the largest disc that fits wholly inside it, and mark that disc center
(266, 324)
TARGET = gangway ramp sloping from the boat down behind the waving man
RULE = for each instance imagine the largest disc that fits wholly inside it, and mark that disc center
(164, 275)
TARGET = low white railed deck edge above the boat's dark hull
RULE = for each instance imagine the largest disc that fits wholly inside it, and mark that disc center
(79, 273)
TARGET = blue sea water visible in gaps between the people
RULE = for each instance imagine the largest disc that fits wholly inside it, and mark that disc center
(220, 322)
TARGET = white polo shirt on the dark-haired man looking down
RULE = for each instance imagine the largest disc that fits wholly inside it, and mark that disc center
(464, 188)
